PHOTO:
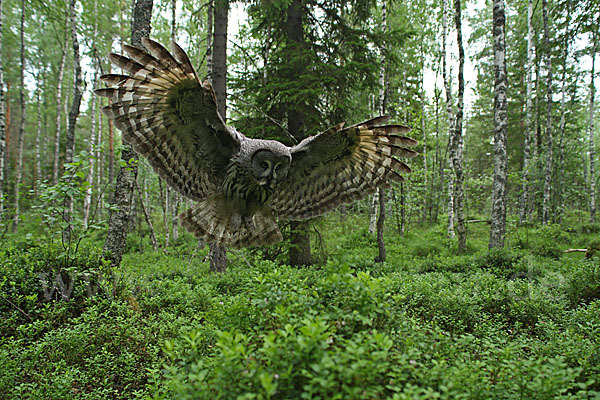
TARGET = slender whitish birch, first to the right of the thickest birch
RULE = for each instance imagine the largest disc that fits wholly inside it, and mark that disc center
(525, 195)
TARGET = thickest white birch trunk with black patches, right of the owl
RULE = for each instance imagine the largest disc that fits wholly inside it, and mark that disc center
(498, 228)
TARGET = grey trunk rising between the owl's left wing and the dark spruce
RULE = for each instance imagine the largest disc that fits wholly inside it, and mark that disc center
(218, 74)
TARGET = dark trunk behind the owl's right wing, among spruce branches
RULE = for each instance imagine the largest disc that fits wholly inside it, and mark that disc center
(299, 253)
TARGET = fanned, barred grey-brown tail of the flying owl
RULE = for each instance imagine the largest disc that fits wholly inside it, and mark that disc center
(208, 221)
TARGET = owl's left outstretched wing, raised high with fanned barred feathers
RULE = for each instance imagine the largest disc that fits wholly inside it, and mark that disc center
(170, 118)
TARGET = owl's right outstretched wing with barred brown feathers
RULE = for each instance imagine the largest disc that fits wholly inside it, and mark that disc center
(341, 165)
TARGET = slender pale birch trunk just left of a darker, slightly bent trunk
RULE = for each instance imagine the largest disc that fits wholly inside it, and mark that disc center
(448, 90)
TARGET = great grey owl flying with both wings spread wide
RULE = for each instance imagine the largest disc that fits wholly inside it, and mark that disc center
(242, 186)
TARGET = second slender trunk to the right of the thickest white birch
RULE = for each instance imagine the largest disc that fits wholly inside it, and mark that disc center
(549, 139)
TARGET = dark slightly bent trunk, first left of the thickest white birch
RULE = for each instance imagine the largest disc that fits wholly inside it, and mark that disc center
(456, 153)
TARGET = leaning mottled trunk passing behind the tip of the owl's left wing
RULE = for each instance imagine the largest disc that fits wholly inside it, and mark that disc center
(122, 198)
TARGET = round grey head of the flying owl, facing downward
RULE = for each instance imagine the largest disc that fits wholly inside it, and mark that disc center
(269, 165)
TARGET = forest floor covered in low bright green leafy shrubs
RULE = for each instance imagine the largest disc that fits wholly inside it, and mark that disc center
(521, 323)
